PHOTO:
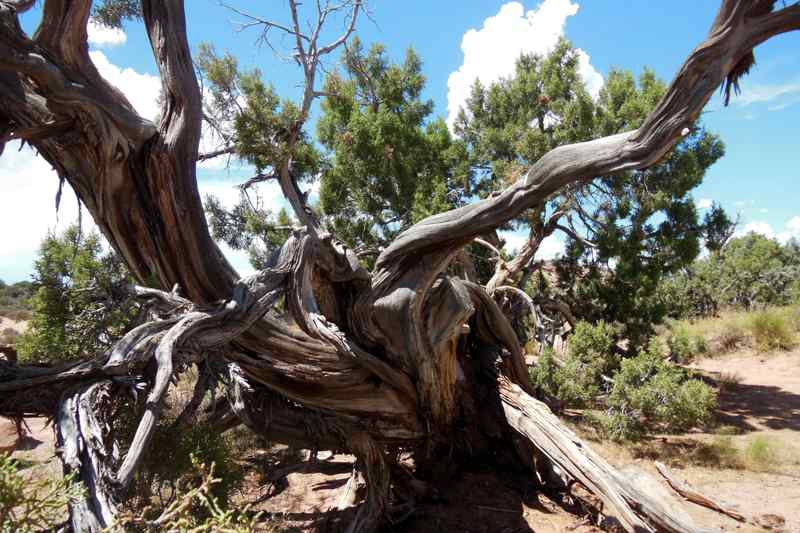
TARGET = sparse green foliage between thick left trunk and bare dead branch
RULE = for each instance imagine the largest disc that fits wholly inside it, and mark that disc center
(266, 132)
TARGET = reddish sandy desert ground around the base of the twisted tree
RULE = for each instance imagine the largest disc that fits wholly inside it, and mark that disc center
(765, 401)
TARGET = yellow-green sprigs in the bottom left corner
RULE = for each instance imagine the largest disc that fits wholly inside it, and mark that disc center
(28, 505)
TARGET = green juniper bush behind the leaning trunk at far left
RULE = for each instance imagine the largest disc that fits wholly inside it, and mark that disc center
(78, 307)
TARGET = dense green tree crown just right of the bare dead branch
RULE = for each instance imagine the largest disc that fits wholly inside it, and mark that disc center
(390, 166)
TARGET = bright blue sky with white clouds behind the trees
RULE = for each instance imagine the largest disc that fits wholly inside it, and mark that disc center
(457, 41)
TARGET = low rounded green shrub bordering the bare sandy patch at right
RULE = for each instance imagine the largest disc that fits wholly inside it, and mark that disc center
(648, 392)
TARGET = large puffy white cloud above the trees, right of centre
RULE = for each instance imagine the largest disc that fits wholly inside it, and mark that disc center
(490, 52)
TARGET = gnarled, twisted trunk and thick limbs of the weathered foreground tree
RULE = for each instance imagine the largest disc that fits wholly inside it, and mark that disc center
(400, 357)
